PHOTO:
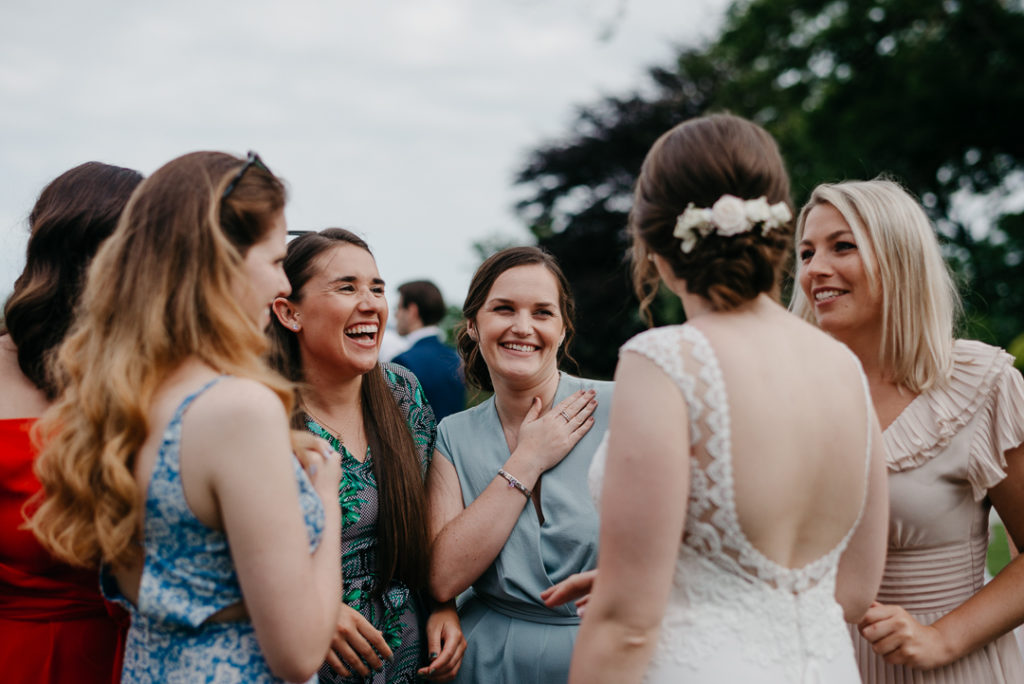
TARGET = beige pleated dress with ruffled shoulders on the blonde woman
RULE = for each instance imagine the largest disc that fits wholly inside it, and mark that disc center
(945, 452)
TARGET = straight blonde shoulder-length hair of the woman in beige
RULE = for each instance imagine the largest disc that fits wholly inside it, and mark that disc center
(920, 302)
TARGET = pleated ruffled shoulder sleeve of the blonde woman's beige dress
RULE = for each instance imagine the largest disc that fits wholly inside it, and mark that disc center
(985, 391)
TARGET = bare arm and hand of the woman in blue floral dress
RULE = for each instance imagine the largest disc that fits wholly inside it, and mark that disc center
(291, 596)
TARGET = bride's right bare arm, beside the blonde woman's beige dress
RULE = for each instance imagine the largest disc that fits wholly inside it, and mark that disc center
(865, 560)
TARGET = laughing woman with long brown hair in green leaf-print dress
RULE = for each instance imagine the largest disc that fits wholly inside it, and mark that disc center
(327, 339)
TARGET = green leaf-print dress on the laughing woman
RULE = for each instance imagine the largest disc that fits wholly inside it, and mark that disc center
(399, 613)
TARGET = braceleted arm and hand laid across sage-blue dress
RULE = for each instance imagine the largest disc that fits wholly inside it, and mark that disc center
(467, 539)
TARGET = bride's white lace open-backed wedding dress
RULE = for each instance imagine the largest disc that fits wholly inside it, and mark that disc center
(734, 615)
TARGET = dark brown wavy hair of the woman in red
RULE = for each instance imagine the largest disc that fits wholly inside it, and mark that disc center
(76, 212)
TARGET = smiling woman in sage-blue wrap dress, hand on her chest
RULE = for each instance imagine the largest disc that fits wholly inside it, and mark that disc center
(499, 527)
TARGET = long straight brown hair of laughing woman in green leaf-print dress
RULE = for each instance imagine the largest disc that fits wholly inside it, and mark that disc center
(403, 520)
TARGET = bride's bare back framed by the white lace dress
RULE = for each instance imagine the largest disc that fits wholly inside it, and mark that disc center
(799, 416)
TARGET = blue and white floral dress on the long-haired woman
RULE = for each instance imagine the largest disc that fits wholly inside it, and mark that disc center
(188, 576)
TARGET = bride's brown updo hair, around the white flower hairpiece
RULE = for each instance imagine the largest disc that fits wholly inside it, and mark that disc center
(698, 162)
